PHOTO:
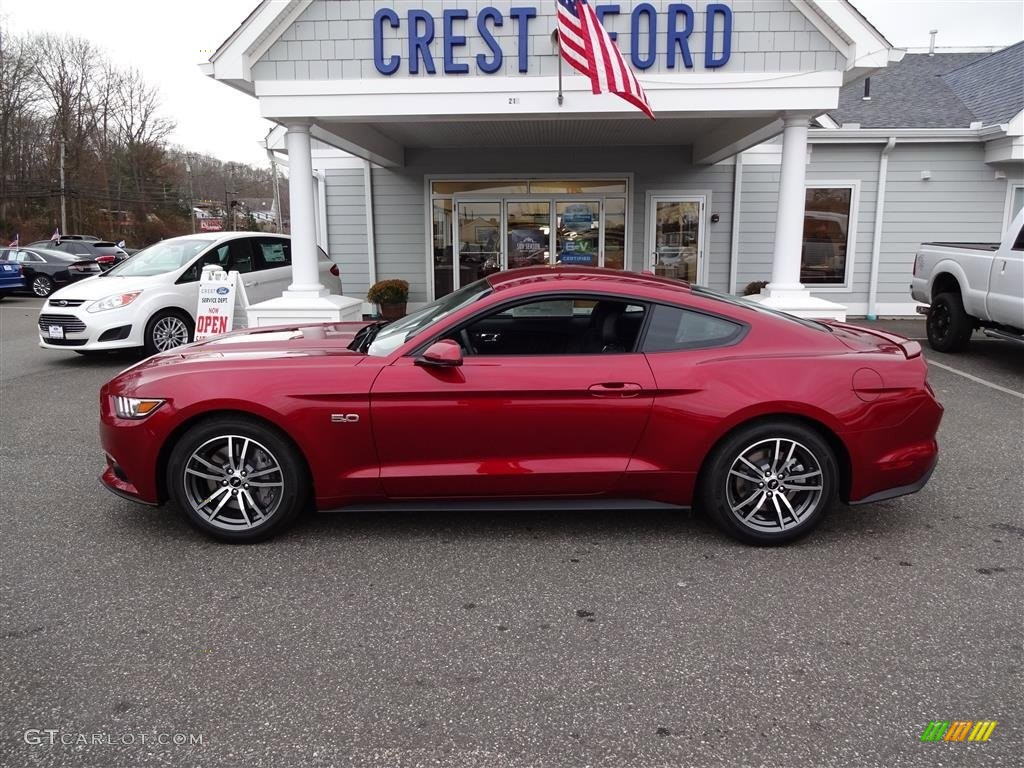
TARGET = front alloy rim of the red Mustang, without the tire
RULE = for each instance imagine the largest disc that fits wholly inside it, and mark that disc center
(234, 483)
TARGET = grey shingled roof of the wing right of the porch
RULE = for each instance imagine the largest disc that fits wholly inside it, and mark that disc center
(946, 91)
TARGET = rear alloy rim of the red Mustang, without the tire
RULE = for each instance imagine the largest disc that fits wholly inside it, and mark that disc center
(775, 485)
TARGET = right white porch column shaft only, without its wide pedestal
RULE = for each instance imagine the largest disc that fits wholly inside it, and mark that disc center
(790, 218)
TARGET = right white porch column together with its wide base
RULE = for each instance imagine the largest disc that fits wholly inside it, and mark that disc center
(786, 292)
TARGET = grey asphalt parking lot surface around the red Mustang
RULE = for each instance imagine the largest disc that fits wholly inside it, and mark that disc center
(613, 639)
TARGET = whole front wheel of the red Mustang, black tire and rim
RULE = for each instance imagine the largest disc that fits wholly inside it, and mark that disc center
(223, 503)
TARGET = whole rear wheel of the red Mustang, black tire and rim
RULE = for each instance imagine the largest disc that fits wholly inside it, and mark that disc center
(770, 509)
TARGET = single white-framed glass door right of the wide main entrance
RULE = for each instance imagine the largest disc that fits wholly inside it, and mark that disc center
(676, 235)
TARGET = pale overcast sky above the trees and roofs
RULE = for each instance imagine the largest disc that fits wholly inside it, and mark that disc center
(167, 40)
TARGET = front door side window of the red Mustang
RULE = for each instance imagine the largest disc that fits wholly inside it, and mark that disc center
(557, 327)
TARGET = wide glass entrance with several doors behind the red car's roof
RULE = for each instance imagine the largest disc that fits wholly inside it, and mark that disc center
(482, 227)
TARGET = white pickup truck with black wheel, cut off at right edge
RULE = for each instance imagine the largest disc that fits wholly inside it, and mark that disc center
(972, 285)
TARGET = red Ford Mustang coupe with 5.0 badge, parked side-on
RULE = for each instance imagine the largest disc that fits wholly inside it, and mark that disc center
(538, 388)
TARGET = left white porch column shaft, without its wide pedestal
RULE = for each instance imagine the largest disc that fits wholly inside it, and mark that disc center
(303, 197)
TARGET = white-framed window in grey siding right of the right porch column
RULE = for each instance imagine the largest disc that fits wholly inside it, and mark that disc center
(828, 235)
